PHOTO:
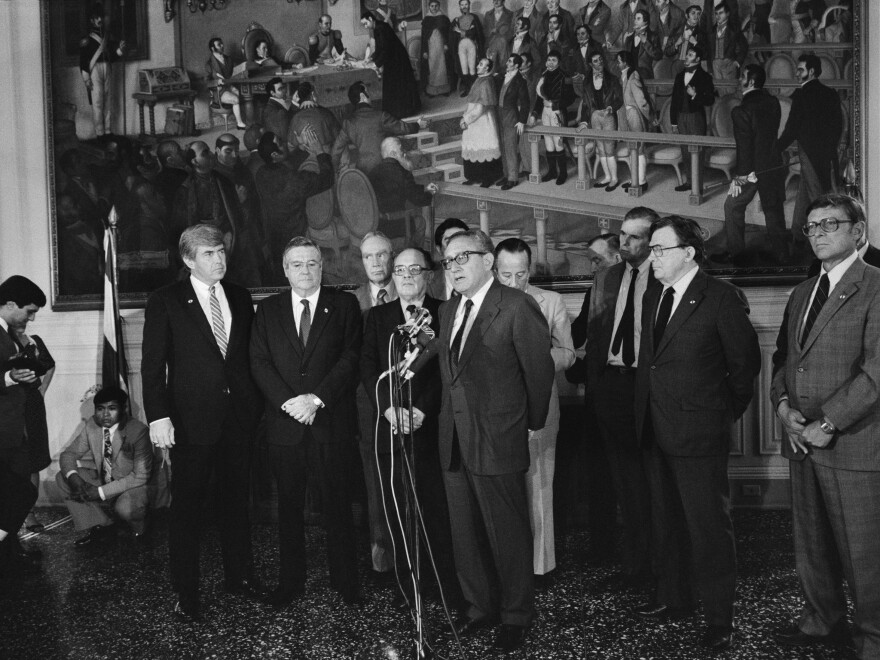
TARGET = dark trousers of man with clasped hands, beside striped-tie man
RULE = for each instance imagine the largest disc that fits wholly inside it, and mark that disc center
(293, 467)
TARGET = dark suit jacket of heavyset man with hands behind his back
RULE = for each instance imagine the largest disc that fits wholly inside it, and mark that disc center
(701, 377)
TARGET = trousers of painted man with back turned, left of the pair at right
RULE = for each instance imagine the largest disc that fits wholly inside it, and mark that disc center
(771, 188)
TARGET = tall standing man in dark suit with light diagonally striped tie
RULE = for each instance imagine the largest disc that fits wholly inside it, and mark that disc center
(201, 403)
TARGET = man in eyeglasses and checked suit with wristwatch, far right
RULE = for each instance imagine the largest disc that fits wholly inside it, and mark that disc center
(826, 393)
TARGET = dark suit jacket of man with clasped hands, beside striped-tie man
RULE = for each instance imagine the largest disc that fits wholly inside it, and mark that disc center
(326, 367)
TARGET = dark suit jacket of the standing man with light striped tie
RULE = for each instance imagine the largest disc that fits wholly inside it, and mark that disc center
(201, 385)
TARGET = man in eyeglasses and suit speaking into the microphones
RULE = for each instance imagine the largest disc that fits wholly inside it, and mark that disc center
(497, 377)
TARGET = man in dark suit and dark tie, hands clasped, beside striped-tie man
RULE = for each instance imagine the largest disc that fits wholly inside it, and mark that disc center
(305, 347)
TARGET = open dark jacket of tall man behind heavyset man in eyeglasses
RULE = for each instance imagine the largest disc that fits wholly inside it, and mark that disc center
(600, 321)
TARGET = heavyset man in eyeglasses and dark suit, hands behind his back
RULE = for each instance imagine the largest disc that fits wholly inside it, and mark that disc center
(698, 360)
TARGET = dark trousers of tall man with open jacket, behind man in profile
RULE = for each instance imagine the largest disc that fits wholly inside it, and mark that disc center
(614, 400)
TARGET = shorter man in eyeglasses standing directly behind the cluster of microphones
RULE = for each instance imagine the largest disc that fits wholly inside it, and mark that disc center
(412, 273)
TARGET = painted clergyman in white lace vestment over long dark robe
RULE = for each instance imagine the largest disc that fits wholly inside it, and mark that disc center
(480, 146)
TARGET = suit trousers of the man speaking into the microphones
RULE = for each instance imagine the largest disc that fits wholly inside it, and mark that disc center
(492, 542)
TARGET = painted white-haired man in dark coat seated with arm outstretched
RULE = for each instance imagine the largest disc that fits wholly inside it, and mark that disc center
(394, 185)
